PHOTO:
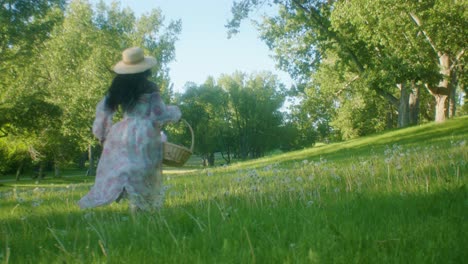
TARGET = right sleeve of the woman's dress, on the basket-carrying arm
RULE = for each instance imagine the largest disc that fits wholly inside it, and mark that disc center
(162, 113)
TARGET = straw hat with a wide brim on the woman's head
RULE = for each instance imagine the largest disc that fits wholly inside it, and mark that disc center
(134, 61)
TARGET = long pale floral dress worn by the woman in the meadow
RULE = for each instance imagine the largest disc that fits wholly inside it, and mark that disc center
(131, 161)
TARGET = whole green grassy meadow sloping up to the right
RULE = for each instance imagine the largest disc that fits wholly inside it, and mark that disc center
(397, 197)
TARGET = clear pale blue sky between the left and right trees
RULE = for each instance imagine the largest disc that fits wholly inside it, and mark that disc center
(203, 48)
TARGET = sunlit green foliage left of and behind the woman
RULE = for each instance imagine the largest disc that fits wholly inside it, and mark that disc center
(49, 104)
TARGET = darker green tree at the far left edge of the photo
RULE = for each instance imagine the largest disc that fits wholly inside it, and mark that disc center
(24, 25)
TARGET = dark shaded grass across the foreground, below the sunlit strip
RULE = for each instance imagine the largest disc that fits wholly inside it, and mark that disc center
(352, 228)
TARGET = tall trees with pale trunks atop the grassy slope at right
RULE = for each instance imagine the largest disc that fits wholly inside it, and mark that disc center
(369, 65)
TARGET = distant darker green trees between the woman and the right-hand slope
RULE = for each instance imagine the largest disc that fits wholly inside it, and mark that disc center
(241, 117)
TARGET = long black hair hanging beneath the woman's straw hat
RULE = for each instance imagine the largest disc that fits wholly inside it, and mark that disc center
(126, 89)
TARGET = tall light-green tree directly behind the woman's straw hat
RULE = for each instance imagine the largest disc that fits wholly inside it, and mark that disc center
(82, 51)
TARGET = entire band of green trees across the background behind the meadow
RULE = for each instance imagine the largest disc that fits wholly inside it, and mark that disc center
(360, 67)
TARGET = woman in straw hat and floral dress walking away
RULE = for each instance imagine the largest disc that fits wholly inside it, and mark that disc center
(131, 161)
